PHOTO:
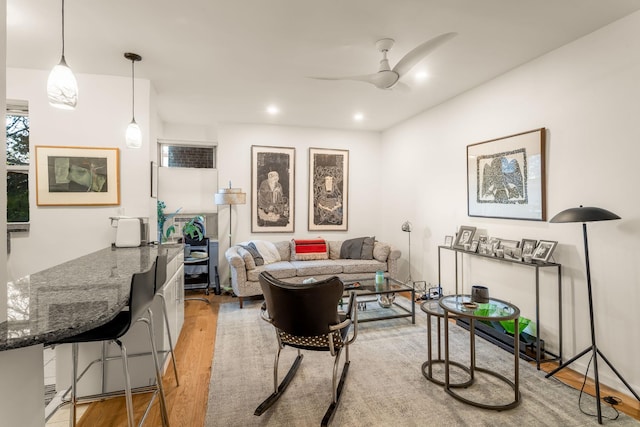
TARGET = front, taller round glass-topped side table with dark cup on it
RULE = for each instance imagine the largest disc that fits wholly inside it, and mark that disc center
(461, 306)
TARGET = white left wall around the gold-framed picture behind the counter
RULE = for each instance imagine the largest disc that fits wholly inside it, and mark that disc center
(100, 120)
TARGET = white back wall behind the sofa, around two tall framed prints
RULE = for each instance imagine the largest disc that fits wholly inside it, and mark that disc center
(365, 175)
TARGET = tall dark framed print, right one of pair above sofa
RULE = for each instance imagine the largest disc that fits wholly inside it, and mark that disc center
(328, 189)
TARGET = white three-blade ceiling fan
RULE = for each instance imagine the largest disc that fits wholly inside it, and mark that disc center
(388, 78)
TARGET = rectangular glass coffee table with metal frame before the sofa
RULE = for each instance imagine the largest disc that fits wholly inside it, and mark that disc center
(379, 301)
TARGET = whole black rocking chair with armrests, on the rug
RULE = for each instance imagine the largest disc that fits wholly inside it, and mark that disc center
(306, 317)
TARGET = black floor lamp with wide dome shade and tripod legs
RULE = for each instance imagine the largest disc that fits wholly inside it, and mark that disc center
(584, 215)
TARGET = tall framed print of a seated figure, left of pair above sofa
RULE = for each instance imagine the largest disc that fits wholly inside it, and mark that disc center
(272, 189)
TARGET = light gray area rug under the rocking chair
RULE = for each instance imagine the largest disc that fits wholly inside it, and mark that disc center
(385, 385)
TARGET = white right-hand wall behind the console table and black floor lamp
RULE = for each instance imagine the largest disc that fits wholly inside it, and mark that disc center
(587, 94)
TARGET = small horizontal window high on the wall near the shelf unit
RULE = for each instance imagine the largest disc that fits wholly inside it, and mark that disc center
(185, 155)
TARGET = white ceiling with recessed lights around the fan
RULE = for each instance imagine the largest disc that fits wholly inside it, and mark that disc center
(213, 61)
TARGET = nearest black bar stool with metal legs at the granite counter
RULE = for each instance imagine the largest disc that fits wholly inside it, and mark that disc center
(141, 296)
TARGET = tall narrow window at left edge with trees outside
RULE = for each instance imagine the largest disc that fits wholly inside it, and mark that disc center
(17, 126)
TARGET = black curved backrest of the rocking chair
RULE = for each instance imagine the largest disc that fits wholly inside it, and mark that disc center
(304, 309)
